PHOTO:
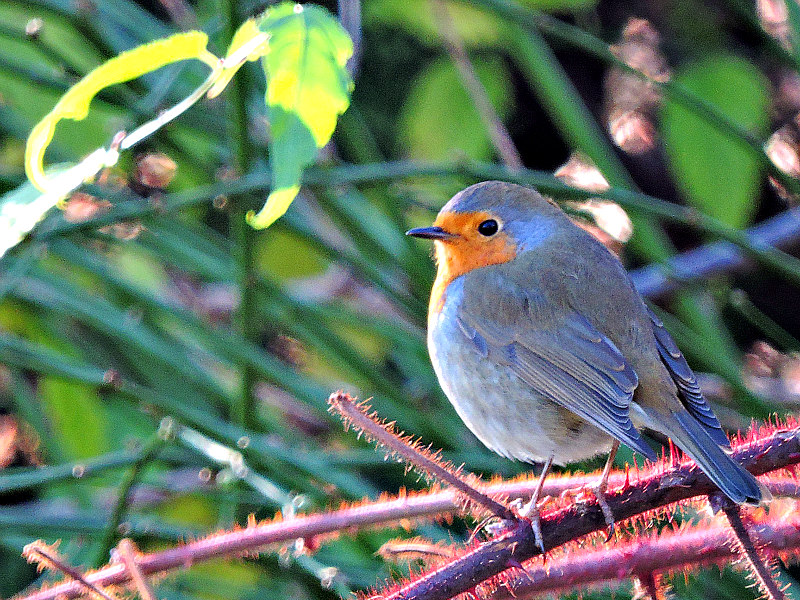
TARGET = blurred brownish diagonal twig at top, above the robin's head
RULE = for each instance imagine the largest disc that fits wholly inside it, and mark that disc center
(498, 133)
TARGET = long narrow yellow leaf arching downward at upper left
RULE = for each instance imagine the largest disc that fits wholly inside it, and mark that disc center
(128, 65)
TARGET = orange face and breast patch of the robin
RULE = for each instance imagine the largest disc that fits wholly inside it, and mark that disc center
(467, 251)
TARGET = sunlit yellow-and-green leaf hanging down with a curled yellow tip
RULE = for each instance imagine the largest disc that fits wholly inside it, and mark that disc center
(308, 87)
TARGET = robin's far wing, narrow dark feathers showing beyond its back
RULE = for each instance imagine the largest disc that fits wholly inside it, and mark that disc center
(688, 388)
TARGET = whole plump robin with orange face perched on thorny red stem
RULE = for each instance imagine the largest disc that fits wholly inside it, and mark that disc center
(549, 354)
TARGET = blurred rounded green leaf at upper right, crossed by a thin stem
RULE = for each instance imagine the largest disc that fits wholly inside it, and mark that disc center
(718, 175)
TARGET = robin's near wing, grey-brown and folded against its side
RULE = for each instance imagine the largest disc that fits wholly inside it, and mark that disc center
(569, 361)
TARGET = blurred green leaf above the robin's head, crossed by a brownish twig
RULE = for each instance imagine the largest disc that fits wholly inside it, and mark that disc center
(439, 118)
